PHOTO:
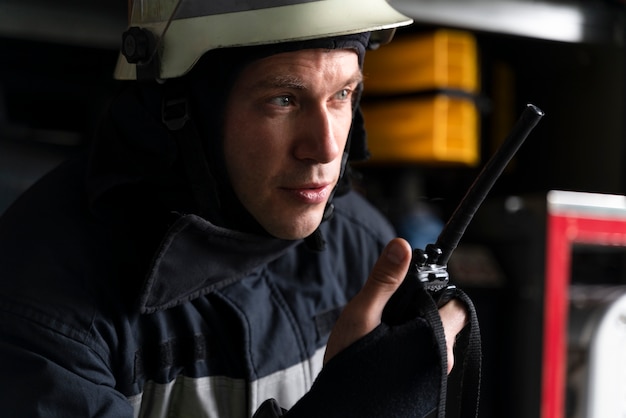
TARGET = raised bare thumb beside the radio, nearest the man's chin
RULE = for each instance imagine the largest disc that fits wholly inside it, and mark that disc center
(363, 313)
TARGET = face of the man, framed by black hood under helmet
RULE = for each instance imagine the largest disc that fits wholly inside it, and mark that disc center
(286, 126)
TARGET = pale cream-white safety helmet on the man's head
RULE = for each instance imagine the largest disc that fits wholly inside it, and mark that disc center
(167, 37)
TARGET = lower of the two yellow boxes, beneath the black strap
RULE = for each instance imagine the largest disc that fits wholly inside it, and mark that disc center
(434, 129)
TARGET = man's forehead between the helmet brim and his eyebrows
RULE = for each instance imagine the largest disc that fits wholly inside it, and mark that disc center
(302, 67)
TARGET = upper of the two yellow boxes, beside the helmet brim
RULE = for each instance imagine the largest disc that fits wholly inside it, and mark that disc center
(443, 59)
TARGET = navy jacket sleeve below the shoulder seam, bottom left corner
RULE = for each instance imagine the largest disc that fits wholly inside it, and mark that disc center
(45, 371)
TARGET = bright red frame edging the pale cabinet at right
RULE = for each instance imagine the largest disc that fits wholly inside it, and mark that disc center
(565, 227)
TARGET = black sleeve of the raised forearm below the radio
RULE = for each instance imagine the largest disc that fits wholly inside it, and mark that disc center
(392, 371)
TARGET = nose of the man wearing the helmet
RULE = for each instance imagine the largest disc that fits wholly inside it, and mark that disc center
(321, 136)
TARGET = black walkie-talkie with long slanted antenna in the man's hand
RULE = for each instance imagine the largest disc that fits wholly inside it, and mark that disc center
(429, 266)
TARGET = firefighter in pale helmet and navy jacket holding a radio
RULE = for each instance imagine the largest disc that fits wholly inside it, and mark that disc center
(207, 257)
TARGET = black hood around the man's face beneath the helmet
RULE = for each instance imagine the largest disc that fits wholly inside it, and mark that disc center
(136, 153)
